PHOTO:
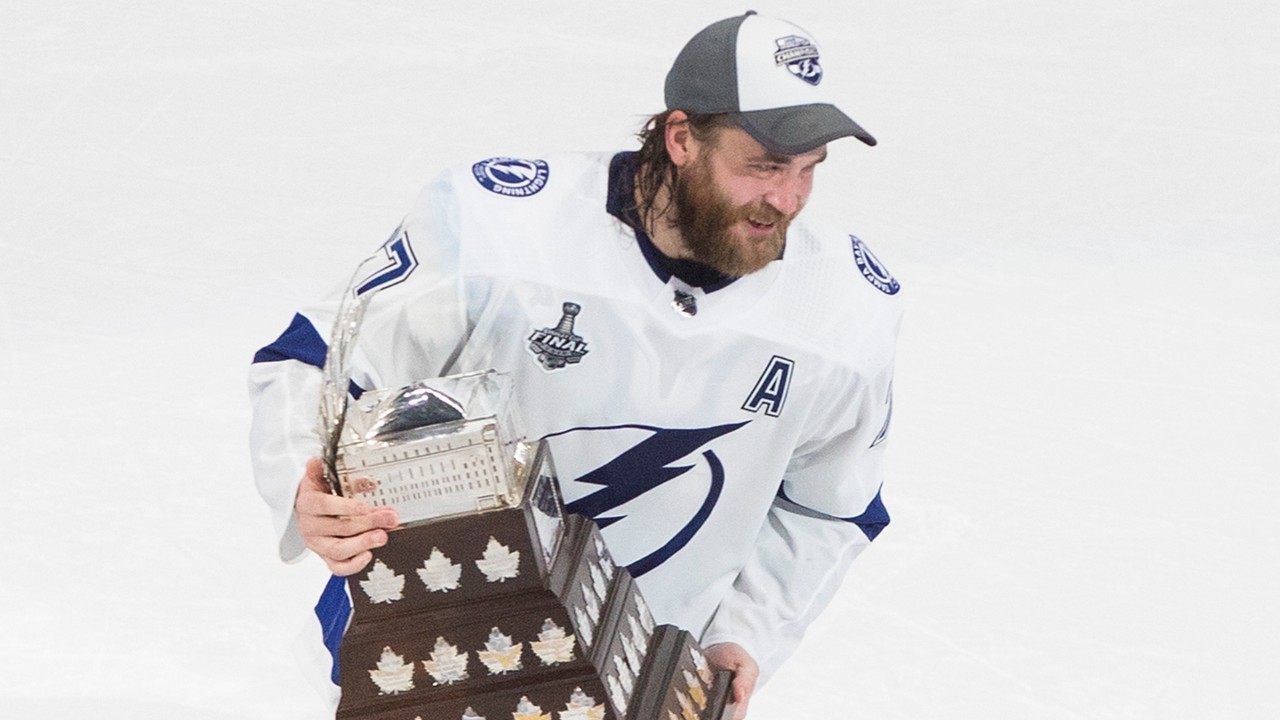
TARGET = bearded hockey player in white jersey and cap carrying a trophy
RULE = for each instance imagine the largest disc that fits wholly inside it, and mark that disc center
(714, 373)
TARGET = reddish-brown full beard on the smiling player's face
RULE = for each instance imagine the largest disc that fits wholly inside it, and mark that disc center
(706, 222)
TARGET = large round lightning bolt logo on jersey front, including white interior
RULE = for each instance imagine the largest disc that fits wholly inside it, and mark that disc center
(669, 480)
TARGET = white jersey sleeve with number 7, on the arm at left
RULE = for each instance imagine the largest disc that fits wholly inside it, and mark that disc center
(413, 329)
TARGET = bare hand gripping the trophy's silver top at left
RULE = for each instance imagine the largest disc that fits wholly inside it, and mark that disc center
(342, 531)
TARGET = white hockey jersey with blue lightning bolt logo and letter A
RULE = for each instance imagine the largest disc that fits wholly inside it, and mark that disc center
(728, 439)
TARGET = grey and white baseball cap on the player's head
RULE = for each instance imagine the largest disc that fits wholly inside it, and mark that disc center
(766, 74)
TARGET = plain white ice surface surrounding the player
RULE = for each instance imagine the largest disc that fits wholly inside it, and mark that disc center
(1084, 200)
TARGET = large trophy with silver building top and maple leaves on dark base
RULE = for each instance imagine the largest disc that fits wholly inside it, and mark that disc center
(492, 603)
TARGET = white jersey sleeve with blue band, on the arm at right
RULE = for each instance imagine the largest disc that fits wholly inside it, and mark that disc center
(826, 513)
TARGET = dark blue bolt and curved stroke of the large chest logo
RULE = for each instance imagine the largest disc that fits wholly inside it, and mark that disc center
(646, 467)
